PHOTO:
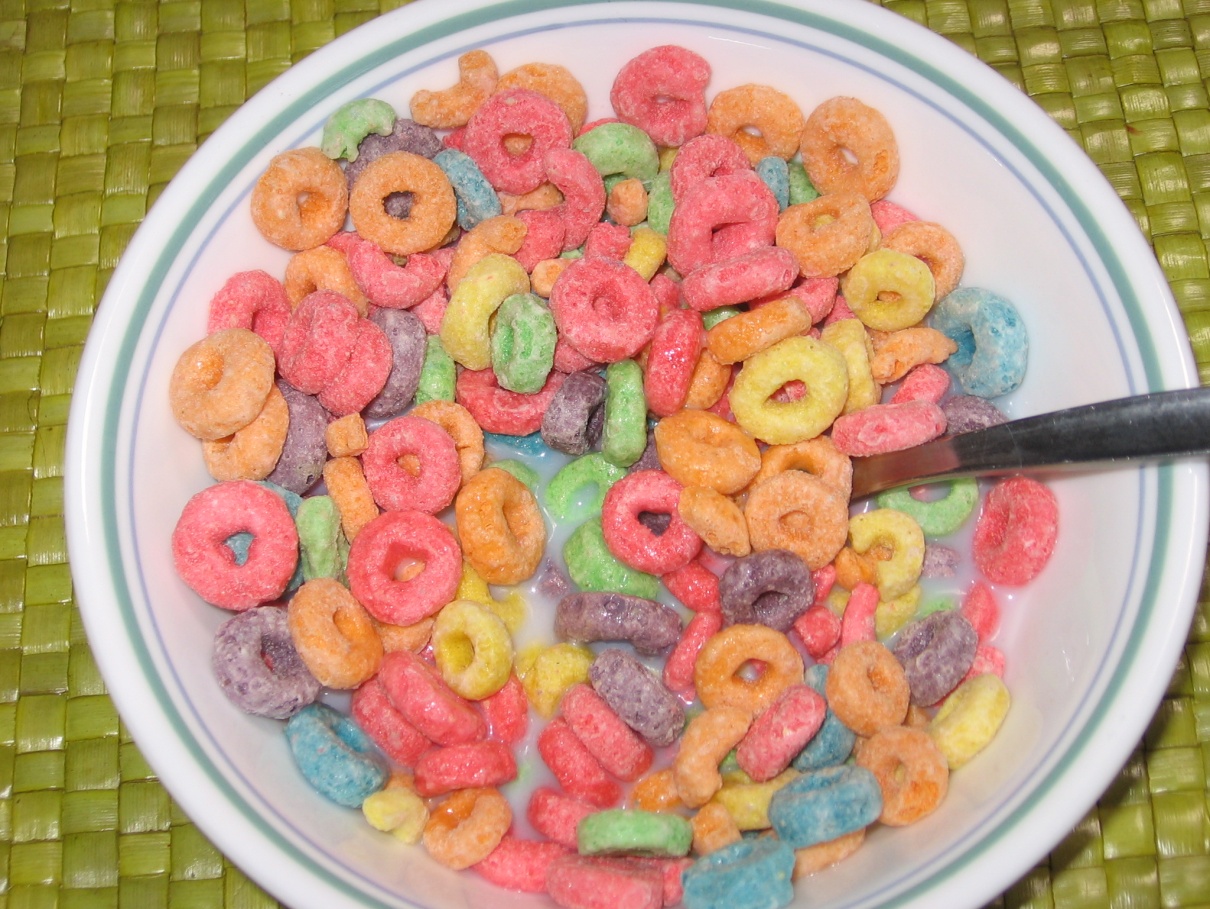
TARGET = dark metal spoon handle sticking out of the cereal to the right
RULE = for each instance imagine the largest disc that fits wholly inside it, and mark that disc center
(1159, 427)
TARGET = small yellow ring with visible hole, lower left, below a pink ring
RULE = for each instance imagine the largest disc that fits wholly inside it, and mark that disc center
(473, 649)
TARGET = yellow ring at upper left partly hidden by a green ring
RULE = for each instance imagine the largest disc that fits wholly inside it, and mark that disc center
(466, 325)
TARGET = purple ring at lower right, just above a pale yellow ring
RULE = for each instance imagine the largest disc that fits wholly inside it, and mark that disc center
(936, 653)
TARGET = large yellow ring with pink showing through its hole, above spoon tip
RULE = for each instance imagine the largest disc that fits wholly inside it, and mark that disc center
(820, 366)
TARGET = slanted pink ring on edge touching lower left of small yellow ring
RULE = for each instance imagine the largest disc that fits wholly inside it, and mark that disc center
(430, 705)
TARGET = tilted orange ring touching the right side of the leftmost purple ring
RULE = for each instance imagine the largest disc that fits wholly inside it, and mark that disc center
(333, 634)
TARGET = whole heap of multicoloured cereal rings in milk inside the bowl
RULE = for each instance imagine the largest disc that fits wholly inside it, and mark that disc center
(541, 447)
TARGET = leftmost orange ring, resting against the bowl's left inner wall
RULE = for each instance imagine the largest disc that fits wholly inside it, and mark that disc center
(221, 384)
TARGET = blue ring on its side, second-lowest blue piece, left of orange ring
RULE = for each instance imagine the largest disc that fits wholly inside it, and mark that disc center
(826, 804)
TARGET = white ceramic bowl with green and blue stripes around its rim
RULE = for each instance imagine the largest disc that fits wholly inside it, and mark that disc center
(1090, 645)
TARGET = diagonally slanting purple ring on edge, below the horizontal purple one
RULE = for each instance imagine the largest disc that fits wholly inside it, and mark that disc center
(638, 697)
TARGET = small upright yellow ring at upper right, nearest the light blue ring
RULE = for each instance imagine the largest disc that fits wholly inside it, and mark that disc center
(889, 291)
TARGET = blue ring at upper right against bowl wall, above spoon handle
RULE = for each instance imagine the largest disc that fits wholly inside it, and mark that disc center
(994, 347)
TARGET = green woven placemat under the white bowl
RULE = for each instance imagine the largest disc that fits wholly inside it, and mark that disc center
(101, 103)
